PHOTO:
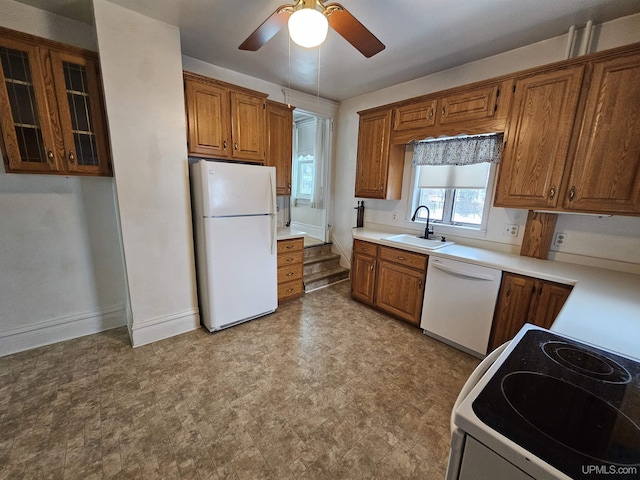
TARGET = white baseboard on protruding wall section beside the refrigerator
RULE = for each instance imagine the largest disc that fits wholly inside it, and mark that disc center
(163, 327)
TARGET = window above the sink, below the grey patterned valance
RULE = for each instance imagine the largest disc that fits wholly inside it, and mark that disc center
(455, 195)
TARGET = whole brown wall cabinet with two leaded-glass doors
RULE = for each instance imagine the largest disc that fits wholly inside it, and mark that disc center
(51, 108)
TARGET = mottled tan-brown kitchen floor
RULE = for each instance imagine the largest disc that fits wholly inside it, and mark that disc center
(326, 388)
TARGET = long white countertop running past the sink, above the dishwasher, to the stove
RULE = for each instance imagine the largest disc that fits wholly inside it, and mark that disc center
(603, 308)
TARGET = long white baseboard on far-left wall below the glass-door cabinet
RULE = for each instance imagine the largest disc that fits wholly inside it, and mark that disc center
(52, 331)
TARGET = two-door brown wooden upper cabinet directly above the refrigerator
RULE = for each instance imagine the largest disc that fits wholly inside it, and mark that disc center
(225, 121)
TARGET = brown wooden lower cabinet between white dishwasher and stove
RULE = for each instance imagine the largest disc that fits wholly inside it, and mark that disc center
(523, 300)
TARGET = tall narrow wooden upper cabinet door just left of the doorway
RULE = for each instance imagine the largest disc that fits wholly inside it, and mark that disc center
(279, 150)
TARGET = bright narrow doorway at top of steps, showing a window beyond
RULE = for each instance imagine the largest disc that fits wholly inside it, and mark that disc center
(310, 176)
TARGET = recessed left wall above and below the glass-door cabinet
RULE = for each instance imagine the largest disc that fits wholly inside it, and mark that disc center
(61, 269)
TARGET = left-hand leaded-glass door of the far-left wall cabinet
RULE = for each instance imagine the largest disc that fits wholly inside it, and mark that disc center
(28, 122)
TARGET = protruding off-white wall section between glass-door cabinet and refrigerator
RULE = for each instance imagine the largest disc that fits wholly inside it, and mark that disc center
(142, 76)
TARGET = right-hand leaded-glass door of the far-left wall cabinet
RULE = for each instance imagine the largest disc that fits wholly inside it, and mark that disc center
(81, 115)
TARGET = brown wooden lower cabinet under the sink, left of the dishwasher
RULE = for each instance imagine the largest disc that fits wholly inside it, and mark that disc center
(390, 279)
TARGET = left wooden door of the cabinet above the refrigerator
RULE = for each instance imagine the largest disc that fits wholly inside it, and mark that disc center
(208, 119)
